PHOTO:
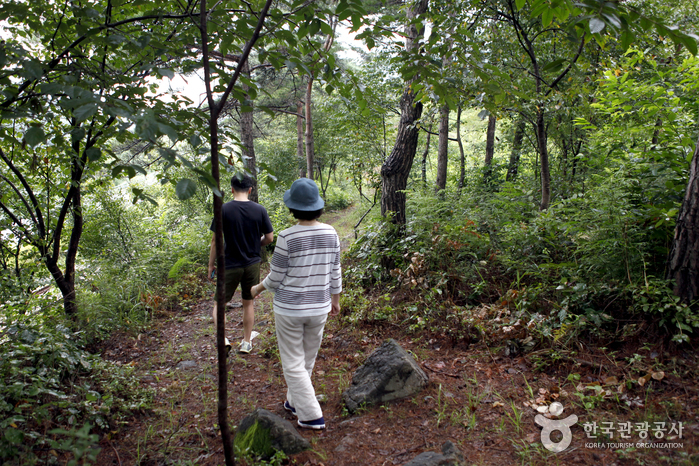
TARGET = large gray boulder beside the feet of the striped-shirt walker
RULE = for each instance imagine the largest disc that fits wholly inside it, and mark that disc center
(390, 373)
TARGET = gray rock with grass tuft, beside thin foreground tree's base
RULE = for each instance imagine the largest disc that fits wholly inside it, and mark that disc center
(262, 433)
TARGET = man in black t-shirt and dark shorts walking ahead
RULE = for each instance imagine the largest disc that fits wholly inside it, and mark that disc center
(246, 228)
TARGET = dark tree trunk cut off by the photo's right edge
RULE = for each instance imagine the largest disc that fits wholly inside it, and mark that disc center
(683, 260)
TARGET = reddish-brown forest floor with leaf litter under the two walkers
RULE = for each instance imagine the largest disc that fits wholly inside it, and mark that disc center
(477, 397)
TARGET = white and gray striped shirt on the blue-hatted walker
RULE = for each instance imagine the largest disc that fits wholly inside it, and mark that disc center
(305, 270)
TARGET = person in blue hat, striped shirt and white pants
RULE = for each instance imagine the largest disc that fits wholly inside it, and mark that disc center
(306, 278)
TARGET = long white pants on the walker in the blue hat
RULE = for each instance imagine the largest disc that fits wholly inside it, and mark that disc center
(299, 339)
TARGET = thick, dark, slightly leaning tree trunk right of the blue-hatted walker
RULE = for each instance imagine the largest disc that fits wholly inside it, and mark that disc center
(396, 168)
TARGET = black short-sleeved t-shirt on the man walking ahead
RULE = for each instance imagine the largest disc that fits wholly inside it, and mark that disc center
(244, 223)
